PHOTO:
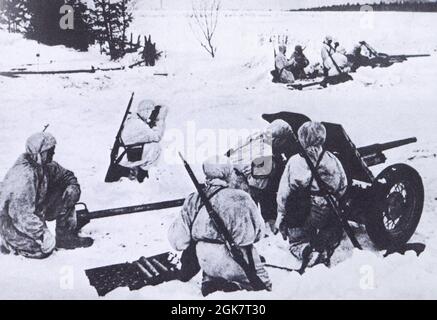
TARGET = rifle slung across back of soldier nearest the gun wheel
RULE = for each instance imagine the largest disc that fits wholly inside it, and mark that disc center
(329, 197)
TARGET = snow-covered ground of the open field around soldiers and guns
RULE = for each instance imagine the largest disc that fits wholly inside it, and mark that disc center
(229, 92)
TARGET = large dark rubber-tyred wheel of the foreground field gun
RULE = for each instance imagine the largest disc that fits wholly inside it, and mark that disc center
(398, 206)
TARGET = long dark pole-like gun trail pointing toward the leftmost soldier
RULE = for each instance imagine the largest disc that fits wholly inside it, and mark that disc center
(134, 209)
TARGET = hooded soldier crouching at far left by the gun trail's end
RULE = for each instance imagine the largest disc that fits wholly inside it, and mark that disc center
(35, 190)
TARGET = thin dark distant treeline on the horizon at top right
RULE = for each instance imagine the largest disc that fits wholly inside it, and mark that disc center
(394, 6)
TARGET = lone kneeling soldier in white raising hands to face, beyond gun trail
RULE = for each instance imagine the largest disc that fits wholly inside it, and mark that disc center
(141, 135)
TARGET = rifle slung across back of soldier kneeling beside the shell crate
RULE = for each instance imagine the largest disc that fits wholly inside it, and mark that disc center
(218, 223)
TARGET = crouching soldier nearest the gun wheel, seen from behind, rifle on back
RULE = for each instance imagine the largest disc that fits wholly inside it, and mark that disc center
(304, 216)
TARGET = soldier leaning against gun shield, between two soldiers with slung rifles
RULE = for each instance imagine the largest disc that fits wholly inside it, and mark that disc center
(261, 160)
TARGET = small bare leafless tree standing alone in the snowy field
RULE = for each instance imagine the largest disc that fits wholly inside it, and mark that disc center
(203, 22)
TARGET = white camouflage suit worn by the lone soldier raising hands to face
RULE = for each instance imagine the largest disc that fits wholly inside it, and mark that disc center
(136, 130)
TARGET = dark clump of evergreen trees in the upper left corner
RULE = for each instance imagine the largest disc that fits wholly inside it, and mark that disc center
(106, 23)
